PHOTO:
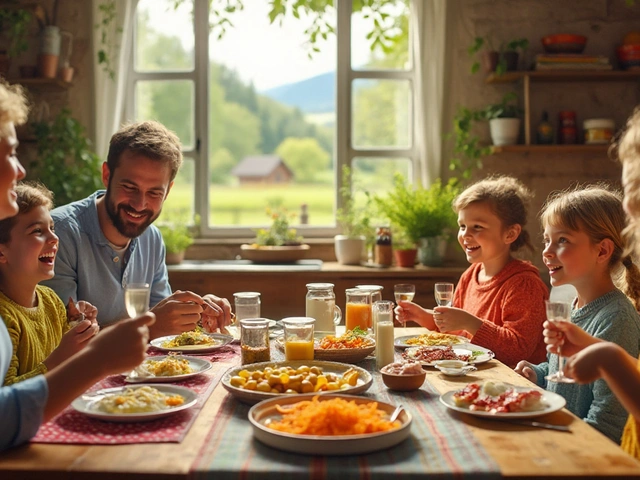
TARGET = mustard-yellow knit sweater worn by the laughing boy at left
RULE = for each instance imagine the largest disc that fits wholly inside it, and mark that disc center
(35, 332)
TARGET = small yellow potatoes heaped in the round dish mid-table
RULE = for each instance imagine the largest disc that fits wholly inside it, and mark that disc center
(303, 379)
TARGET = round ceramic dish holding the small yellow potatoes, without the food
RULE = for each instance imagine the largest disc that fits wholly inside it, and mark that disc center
(253, 396)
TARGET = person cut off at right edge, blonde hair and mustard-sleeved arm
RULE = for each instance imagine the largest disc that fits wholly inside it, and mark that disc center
(593, 358)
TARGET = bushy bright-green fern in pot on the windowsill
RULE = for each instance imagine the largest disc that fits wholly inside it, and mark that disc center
(422, 213)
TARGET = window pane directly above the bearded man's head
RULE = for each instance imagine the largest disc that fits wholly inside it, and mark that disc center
(171, 103)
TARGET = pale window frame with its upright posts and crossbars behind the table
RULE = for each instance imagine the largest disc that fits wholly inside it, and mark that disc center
(344, 150)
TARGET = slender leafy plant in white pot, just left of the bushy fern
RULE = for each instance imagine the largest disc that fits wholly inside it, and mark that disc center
(355, 222)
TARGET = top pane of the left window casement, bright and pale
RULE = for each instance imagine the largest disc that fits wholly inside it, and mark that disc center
(164, 36)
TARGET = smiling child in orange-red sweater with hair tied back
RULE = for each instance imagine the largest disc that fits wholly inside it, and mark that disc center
(499, 301)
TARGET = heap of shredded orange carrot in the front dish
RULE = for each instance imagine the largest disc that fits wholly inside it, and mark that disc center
(335, 416)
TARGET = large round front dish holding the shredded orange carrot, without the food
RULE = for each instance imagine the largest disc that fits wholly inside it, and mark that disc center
(324, 445)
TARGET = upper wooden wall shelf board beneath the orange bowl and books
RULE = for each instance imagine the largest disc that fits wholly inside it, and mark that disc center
(566, 76)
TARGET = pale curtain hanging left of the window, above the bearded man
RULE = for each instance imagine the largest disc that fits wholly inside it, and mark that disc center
(109, 94)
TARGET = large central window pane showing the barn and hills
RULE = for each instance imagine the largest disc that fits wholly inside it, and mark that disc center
(272, 119)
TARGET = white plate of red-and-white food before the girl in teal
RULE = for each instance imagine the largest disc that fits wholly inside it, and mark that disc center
(501, 400)
